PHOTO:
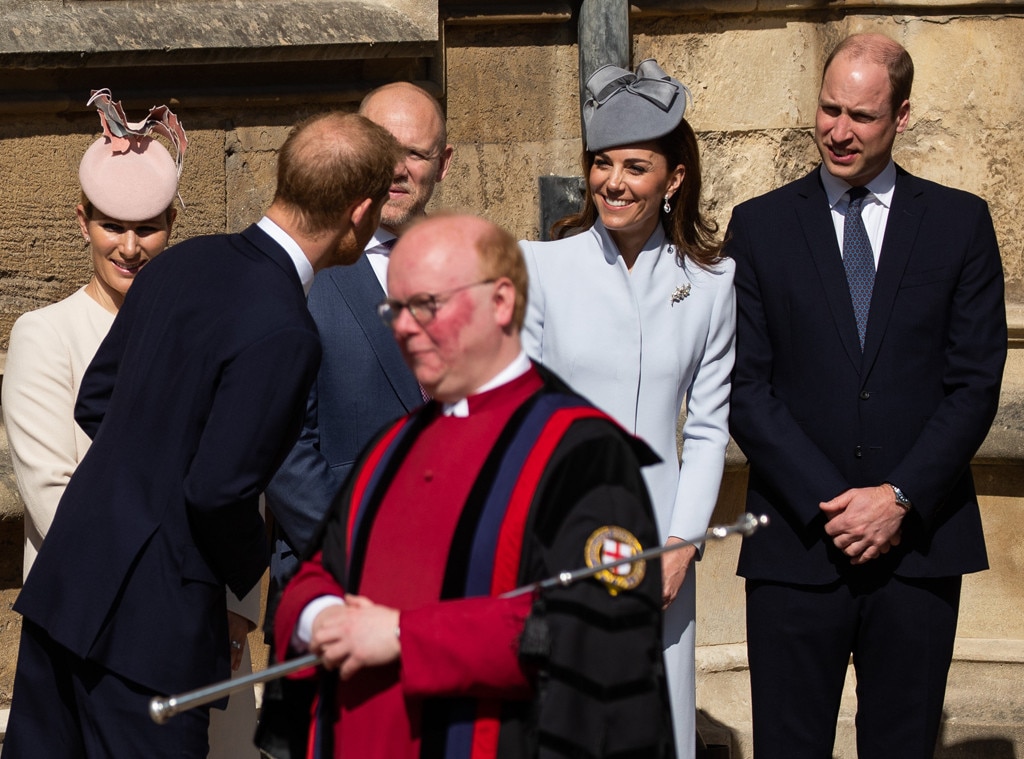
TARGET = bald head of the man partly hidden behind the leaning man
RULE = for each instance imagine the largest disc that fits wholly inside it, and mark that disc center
(416, 120)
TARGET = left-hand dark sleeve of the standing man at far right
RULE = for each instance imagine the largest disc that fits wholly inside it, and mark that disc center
(761, 424)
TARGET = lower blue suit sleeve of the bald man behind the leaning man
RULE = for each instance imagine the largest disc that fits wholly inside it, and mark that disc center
(302, 492)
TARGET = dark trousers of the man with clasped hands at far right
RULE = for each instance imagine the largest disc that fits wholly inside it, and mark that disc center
(800, 639)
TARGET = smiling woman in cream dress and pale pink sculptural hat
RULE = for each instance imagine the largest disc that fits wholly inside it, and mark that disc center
(130, 184)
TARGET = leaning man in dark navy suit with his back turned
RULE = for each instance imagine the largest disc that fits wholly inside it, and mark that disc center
(193, 401)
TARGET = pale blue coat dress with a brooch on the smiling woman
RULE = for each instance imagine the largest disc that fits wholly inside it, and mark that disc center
(639, 345)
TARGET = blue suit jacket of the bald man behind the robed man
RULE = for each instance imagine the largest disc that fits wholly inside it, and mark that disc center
(364, 384)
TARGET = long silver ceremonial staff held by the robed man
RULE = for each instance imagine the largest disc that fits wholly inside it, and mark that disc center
(162, 709)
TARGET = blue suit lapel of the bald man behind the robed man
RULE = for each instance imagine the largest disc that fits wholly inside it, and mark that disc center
(363, 292)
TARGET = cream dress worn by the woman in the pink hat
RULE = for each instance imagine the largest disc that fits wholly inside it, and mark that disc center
(51, 349)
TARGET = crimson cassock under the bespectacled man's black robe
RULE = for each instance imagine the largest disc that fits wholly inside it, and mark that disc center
(446, 647)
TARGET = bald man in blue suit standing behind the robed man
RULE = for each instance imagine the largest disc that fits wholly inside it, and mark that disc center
(363, 383)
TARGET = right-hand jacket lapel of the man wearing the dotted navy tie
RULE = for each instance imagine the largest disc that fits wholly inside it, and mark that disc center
(898, 244)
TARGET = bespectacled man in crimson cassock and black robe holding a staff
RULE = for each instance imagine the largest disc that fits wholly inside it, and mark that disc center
(505, 479)
